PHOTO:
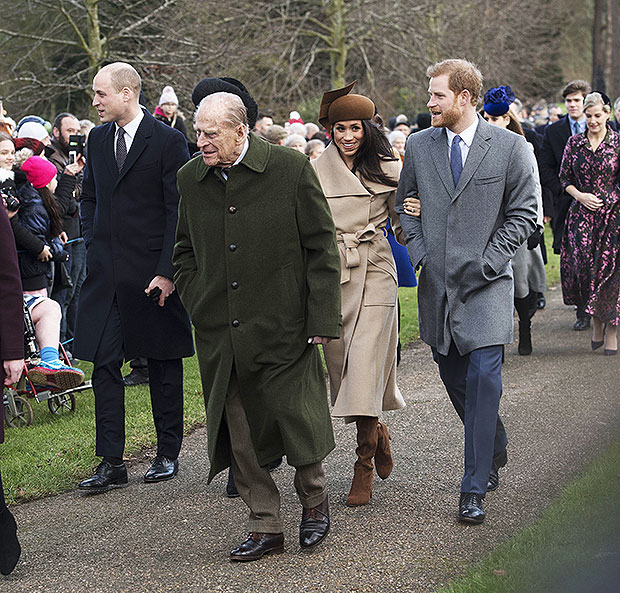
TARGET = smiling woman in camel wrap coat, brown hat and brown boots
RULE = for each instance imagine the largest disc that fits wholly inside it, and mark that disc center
(359, 173)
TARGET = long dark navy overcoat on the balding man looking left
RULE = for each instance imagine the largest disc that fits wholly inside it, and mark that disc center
(128, 223)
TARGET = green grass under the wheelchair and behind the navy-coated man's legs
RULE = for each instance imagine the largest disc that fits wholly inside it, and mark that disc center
(55, 453)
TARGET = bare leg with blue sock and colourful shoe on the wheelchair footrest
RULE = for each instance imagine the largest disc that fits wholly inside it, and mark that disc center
(45, 315)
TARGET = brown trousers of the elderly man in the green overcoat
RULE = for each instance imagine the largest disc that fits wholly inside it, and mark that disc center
(254, 483)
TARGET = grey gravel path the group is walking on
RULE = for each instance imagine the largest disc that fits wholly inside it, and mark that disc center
(560, 407)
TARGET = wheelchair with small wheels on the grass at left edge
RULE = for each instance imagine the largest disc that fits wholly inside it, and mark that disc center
(17, 408)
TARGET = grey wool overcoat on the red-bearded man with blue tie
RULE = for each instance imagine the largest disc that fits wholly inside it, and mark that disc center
(467, 235)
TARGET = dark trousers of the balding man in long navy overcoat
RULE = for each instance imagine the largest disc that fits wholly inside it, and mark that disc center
(166, 387)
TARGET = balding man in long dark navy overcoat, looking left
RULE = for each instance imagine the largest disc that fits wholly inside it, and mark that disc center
(128, 305)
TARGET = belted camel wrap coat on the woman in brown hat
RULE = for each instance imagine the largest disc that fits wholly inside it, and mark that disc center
(362, 364)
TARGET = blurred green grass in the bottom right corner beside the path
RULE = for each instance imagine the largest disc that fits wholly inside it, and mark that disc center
(575, 542)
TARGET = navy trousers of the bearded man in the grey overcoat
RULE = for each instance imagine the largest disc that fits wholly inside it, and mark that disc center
(474, 384)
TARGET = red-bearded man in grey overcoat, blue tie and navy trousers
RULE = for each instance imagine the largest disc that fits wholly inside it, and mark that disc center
(477, 195)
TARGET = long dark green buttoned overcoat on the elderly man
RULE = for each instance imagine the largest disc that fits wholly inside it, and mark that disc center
(259, 272)
